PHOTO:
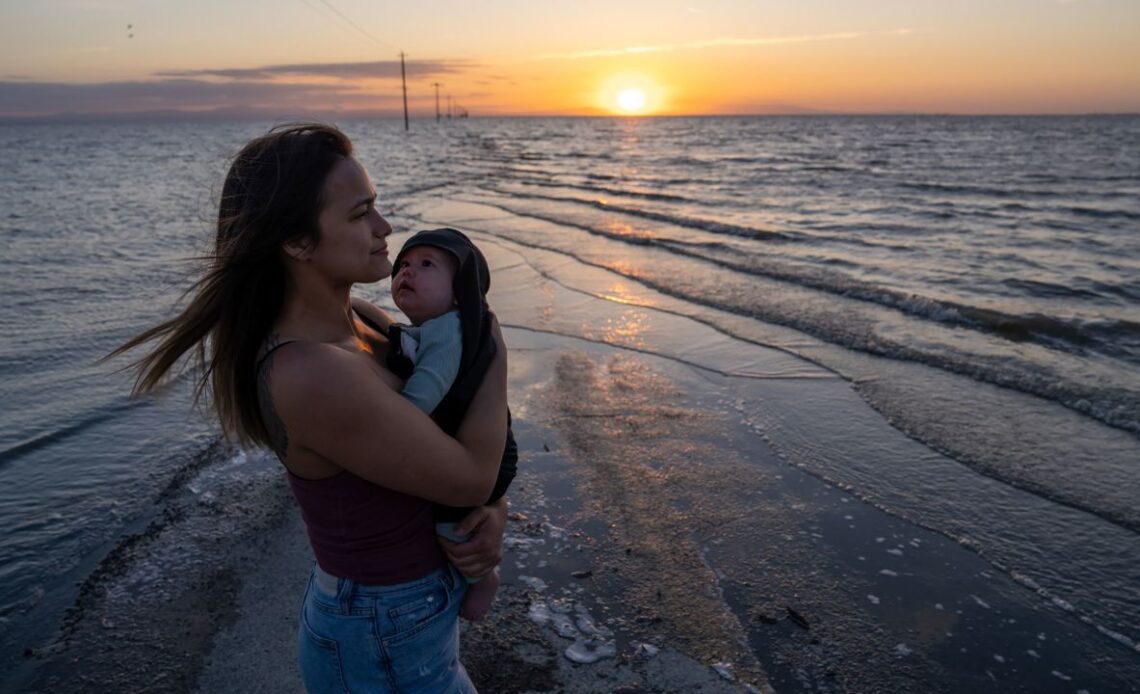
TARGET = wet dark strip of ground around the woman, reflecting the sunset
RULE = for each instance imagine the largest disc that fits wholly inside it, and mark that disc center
(659, 542)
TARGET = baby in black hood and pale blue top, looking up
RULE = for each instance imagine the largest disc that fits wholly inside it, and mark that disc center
(441, 284)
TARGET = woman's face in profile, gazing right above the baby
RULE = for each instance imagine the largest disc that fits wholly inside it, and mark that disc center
(354, 238)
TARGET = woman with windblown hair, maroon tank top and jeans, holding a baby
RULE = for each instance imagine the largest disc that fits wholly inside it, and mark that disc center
(294, 368)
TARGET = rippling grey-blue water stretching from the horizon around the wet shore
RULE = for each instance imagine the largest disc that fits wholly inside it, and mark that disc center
(975, 280)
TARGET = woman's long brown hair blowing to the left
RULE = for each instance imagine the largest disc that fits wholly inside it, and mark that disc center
(272, 195)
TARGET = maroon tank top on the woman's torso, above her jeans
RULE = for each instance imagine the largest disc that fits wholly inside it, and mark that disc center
(367, 533)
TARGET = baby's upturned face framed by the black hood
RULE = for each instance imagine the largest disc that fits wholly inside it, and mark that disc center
(422, 284)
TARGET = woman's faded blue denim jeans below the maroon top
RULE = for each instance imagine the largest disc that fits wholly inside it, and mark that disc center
(384, 639)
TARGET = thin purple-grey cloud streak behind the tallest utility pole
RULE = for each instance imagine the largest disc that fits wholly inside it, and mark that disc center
(379, 70)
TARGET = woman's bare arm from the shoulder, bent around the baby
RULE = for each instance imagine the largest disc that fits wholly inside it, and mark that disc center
(336, 407)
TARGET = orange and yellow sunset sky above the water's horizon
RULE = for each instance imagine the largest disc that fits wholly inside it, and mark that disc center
(542, 58)
